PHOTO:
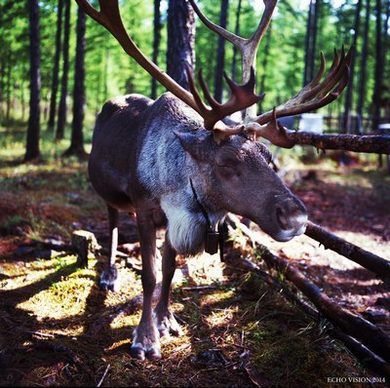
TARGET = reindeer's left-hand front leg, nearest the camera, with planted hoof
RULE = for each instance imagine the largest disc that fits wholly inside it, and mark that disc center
(146, 341)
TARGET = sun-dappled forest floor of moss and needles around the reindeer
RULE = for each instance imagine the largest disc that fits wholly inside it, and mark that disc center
(58, 328)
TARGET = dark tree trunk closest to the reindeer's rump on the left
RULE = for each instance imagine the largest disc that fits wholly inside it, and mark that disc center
(77, 140)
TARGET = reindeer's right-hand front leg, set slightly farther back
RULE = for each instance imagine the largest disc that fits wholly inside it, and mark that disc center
(166, 322)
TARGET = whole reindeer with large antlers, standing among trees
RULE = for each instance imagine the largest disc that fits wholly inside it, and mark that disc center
(174, 162)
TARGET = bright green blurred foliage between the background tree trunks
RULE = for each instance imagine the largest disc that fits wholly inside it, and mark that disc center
(110, 72)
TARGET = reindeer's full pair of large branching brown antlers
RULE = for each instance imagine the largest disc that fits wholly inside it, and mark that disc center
(314, 95)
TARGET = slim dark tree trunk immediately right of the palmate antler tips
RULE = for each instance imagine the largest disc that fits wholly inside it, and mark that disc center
(363, 69)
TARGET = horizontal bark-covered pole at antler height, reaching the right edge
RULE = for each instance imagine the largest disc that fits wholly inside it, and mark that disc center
(368, 143)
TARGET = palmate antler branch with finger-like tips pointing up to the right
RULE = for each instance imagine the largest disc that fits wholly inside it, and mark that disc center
(316, 94)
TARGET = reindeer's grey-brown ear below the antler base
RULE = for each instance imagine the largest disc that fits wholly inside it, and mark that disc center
(199, 145)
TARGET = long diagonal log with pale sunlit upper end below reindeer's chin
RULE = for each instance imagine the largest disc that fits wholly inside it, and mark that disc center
(354, 325)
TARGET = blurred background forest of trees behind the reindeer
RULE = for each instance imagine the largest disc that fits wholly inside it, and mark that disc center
(288, 57)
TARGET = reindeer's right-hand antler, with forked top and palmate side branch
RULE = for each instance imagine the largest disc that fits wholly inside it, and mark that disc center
(314, 95)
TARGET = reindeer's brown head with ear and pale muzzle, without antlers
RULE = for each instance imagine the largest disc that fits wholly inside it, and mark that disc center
(237, 177)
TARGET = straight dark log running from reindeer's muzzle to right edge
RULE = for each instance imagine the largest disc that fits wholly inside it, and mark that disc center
(374, 263)
